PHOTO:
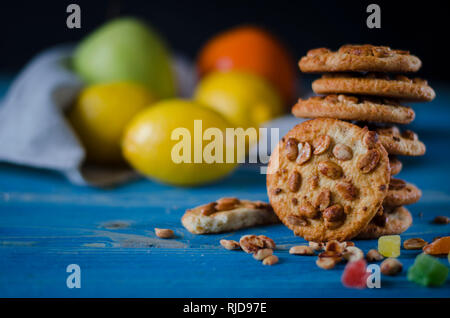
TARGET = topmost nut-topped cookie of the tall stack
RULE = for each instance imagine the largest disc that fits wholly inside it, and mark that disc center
(359, 58)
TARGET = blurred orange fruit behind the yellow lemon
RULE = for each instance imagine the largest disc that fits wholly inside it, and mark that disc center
(251, 49)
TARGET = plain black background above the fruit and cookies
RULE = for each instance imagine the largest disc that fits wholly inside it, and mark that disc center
(28, 27)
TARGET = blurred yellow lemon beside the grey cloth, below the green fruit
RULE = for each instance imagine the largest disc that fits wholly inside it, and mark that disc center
(100, 115)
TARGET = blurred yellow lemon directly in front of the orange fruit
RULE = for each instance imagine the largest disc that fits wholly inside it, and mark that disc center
(245, 99)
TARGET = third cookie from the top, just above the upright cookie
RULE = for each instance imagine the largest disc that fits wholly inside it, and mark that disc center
(348, 107)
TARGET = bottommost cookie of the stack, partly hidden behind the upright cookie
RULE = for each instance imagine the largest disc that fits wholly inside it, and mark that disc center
(393, 221)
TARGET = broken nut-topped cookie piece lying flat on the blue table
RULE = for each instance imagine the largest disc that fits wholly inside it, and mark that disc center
(228, 214)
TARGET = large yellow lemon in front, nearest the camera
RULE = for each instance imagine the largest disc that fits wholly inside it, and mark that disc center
(174, 142)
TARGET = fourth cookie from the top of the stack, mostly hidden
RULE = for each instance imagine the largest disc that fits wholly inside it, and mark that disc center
(404, 143)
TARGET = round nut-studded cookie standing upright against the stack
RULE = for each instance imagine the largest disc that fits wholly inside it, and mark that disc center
(327, 179)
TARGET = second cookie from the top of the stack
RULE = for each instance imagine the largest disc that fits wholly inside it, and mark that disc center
(374, 84)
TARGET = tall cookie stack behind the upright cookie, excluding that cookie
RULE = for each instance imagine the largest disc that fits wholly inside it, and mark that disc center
(366, 84)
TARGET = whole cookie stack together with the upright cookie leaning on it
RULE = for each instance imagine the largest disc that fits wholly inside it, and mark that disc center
(362, 84)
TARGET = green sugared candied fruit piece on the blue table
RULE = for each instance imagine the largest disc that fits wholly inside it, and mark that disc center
(427, 271)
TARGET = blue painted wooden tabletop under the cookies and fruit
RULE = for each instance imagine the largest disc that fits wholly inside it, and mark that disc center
(47, 224)
